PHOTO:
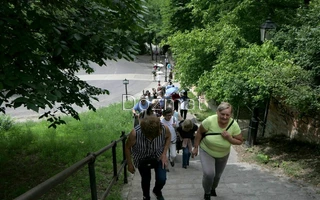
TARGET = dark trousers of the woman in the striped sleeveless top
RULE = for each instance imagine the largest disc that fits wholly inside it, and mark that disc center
(160, 178)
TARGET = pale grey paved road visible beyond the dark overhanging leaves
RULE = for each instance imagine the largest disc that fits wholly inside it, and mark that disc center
(108, 77)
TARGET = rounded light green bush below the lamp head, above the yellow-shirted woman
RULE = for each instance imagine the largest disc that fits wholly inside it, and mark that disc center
(253, 73)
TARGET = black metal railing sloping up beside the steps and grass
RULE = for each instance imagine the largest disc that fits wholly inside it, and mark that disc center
(44, 187)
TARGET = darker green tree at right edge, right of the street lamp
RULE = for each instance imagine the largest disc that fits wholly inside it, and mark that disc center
(300, 38)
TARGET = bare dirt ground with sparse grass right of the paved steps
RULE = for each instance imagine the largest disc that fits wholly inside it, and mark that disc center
(297, 160)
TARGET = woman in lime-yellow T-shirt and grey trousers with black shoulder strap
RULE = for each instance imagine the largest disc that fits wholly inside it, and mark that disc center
(215, 136)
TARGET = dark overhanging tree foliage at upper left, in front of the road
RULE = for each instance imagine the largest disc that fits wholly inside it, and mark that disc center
(44, 43)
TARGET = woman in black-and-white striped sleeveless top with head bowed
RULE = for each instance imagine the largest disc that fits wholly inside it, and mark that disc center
(147, 145)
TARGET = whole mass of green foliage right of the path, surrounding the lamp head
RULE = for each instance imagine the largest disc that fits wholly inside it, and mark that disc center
(221, 53)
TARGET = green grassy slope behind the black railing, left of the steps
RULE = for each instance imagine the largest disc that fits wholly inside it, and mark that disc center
(30, 153)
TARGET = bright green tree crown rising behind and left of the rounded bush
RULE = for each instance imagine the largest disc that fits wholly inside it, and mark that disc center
(198, 51)
